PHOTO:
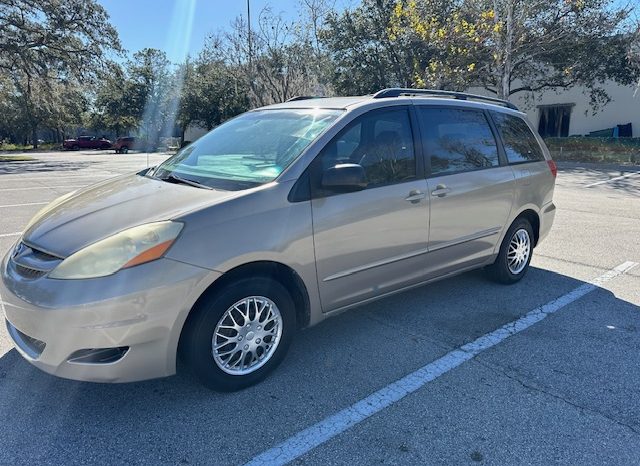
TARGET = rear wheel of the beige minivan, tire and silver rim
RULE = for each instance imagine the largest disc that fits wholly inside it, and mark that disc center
(515, 253)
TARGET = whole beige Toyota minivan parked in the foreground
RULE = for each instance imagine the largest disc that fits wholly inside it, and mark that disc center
(272, 222)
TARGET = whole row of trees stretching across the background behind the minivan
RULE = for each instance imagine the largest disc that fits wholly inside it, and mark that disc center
(61, 64)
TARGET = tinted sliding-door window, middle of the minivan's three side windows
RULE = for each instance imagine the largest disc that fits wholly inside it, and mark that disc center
(457, 140)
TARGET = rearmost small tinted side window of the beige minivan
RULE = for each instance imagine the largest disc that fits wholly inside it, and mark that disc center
(519, 142)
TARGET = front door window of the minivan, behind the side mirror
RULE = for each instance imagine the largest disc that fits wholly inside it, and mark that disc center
(381, 142)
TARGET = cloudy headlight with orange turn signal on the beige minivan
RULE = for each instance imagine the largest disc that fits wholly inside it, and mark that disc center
(134, 246)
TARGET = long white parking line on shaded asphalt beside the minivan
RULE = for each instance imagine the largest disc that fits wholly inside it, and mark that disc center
(325, 430)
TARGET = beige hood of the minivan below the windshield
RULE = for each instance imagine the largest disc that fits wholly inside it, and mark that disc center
(101, 210)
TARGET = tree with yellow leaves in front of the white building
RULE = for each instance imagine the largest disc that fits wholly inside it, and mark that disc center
(511, 46)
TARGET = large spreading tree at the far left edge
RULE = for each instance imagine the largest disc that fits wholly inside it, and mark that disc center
(46, 43)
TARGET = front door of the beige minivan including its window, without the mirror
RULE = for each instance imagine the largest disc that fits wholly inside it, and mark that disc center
(374, 240)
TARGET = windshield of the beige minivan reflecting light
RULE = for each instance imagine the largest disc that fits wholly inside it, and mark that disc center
(249, 150)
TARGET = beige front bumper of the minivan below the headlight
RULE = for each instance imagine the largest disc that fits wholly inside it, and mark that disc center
(140, 310)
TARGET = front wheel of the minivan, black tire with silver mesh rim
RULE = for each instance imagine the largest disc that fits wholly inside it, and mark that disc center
(234, 338)
